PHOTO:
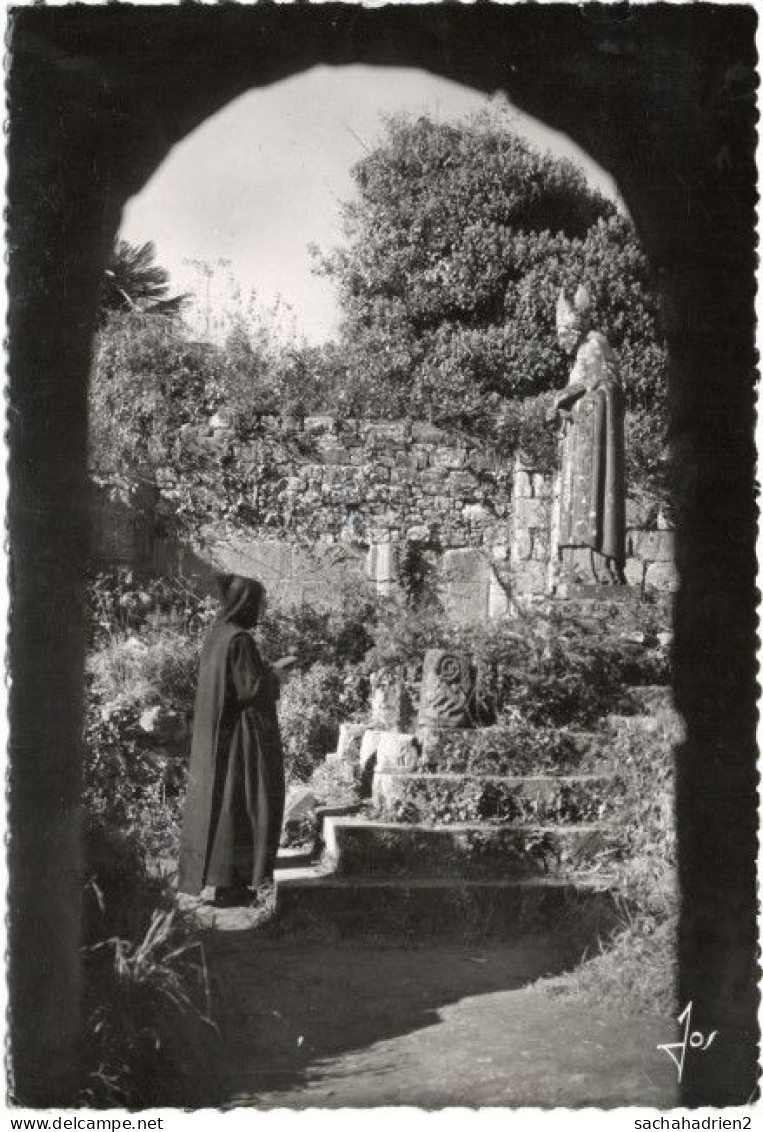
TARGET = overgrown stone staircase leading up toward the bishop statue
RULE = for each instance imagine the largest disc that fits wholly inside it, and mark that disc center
(467, 855)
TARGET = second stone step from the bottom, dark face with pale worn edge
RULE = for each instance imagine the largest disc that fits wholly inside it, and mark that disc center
(357, 847)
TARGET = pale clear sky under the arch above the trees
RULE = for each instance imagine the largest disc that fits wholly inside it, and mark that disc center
(254, 186)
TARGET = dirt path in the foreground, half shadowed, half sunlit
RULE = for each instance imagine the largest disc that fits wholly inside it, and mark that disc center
(434, 1026)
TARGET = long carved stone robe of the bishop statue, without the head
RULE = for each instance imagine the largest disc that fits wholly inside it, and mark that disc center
(593, 483)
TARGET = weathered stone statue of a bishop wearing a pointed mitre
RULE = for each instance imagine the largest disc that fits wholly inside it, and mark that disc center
(591, 415)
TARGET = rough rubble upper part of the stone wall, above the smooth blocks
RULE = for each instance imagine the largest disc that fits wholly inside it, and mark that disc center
(324, 481)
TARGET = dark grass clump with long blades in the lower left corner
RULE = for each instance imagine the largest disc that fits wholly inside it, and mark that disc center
(147, 1002)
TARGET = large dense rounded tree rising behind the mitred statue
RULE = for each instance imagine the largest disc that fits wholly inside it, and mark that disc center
(456, 248)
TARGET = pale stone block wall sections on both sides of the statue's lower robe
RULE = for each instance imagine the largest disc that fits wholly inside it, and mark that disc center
(649, 541)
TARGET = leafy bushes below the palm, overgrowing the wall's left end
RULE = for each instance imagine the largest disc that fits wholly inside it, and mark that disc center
(152, 387)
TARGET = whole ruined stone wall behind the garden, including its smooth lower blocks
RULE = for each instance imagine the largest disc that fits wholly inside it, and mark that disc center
(332, 500)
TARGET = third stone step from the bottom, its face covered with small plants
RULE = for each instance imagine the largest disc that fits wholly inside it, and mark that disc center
(436, 799)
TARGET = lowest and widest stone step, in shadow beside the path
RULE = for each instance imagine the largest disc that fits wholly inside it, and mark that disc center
(395, 911)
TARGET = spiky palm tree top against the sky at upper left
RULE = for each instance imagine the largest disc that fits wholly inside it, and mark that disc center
(134, 281)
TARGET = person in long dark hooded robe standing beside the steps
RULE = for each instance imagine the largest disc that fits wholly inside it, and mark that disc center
(236, 786)
